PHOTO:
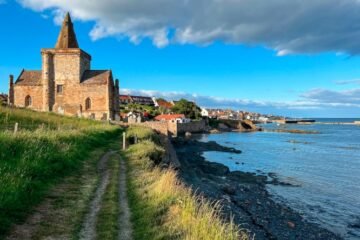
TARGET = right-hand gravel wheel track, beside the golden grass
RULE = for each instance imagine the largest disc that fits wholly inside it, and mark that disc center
(125, 225)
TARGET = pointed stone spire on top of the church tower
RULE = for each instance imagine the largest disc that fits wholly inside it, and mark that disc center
(67, 37)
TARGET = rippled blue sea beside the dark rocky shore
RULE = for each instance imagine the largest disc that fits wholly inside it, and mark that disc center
(323, 168)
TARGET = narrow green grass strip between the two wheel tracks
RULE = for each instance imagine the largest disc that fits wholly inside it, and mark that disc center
(108, 225)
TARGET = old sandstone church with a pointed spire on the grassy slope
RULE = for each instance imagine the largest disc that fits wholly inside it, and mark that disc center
(66, 84)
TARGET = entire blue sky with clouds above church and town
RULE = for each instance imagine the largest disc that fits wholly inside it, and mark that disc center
(294, 58)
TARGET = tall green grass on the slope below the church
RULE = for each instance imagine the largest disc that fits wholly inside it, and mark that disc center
(35, 158)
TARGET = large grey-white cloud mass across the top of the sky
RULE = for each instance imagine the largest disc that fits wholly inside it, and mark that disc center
(295, 26)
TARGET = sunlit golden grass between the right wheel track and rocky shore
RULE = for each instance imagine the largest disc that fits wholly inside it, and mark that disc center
(163, 208)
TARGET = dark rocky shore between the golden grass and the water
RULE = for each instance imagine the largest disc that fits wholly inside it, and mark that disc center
(243, 195)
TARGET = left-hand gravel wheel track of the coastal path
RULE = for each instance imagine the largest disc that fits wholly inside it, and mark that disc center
(88, 231)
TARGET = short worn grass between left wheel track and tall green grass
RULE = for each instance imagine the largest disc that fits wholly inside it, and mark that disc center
(60, 215)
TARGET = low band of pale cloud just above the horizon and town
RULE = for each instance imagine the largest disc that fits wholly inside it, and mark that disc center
(316, 99)
